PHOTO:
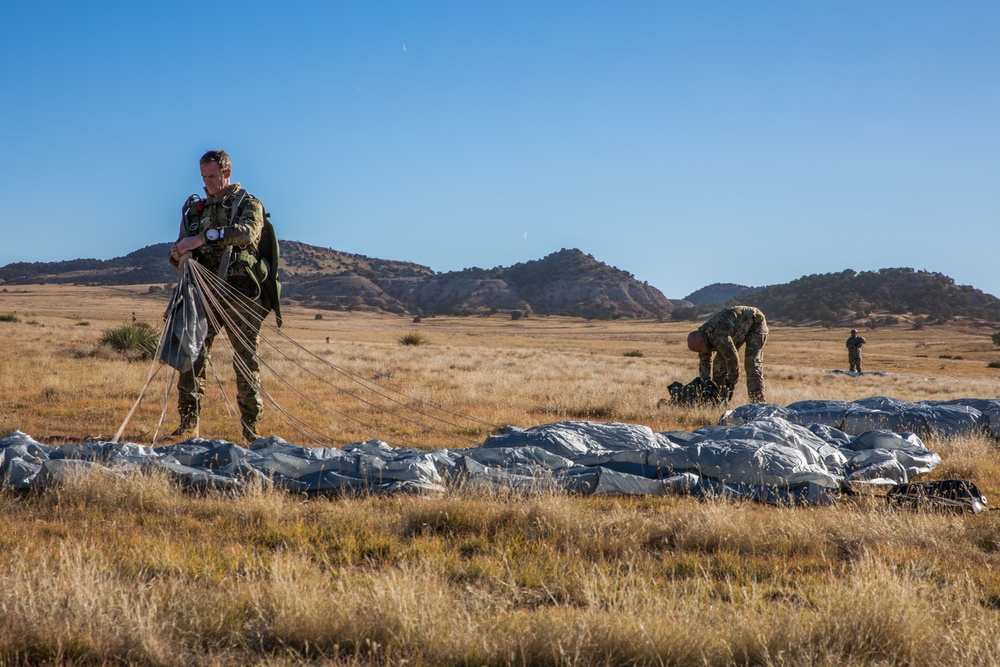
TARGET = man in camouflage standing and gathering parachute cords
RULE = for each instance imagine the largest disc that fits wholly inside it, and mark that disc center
(224, 229)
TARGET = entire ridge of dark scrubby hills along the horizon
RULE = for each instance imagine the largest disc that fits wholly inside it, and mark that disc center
(567, 282)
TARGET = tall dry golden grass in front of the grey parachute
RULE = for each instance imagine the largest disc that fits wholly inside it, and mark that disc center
(135, 571)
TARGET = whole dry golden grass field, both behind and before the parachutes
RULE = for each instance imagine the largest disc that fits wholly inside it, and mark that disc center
(136, 571)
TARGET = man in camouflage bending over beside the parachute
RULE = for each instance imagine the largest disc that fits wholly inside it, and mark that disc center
(723, 334)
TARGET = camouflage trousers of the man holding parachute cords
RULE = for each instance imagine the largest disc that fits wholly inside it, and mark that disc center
(242, 323)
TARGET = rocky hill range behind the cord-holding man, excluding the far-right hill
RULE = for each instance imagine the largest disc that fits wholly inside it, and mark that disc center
(567, 282)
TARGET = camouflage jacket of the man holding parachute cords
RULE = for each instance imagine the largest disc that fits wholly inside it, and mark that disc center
(240, 231)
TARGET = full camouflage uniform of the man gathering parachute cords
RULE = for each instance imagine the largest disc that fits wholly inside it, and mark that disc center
(243, 236)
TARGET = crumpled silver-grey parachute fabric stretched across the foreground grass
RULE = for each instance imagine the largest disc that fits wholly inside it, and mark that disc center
(757, 452)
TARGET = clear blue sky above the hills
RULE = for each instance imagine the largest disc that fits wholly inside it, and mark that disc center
(685, 142)
